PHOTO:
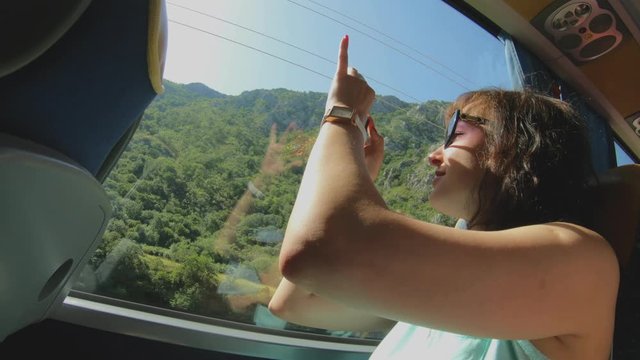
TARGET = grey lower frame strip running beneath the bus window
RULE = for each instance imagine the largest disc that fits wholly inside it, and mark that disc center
(205, 333)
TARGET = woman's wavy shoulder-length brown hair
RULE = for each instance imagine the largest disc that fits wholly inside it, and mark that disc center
(536, 158)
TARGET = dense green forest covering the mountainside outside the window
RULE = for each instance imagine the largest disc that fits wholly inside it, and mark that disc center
(203, 192)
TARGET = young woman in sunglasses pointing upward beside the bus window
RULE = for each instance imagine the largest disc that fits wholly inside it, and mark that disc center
(526, 279)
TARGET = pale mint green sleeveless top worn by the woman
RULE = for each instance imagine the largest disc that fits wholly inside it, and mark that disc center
(407, 342)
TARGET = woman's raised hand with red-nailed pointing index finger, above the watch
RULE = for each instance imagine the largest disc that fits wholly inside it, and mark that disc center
(348, 87)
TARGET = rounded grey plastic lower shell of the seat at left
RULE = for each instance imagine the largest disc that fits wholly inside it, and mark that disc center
(53, 214)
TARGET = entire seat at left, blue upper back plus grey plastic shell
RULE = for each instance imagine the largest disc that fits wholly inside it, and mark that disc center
(75, 79)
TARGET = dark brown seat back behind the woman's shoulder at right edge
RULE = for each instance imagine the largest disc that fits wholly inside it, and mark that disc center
(616, 197)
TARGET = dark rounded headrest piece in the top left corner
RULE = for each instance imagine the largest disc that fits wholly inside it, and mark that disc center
(34, 26)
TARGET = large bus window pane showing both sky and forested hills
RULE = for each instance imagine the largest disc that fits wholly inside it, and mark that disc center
(203, 192)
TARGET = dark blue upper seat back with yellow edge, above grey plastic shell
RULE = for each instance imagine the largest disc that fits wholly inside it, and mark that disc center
(77, 75)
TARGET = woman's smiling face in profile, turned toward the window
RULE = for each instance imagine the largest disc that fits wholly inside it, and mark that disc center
(458, 171)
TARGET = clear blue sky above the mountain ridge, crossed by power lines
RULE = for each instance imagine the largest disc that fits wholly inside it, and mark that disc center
(416, 50)
